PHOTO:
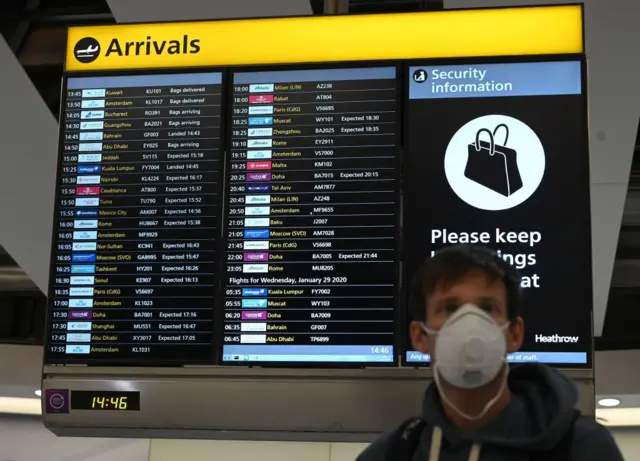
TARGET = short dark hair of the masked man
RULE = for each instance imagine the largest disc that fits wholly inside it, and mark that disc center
(451, 264)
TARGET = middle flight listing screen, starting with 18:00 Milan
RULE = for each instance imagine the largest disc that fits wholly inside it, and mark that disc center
(311, 217)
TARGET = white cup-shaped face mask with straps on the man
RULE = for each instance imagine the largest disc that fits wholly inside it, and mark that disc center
(470, 351)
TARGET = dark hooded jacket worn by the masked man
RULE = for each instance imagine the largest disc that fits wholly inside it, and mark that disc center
(535, 422)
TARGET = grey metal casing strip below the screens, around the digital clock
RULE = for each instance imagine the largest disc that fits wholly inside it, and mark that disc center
(225, 403)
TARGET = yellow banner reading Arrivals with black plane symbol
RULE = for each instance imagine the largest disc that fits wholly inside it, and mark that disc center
(311, 39)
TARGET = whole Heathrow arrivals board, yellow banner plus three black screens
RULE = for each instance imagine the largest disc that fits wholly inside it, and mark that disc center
(244, 206)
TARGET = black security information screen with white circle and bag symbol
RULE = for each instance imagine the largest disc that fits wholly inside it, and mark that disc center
(497, 156)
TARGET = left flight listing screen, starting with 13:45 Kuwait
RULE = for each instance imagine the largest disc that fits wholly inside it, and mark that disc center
(139, 189)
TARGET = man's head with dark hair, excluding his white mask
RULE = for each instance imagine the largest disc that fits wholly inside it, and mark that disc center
(459, 275)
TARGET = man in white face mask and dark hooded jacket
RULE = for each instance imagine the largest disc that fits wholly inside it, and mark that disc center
(465, 303)
